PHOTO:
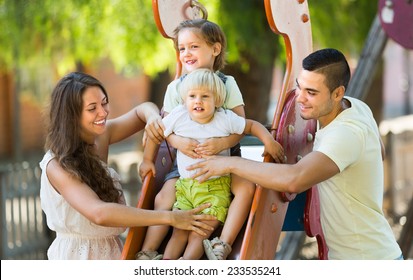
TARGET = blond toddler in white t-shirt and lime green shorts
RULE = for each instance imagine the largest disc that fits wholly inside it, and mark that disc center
(201, 117)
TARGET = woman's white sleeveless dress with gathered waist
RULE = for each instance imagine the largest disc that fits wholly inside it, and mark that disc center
(76, 237)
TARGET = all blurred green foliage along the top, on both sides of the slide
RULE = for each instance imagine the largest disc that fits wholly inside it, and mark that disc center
(64, 33)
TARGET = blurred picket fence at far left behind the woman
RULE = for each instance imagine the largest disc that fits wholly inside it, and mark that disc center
(24, 233)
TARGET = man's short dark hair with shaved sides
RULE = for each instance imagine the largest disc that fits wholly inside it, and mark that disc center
(332, 64)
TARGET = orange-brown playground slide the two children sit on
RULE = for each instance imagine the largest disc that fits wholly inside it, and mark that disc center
(267, 219)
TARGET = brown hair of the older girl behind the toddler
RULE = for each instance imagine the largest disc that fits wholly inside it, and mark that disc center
(210, 32)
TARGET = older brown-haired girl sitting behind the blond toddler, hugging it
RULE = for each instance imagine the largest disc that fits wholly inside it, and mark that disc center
(202, 44)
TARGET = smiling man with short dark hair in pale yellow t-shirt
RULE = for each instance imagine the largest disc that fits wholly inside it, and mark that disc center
(346, 163)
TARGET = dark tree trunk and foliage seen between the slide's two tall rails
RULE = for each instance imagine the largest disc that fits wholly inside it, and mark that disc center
(253, 48)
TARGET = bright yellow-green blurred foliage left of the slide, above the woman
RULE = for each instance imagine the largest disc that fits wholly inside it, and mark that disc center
(69, 32)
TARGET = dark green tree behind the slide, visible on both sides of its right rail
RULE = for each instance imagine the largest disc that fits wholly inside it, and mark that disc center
(254, 48)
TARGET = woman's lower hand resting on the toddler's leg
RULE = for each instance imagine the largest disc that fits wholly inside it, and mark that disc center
(192, 220)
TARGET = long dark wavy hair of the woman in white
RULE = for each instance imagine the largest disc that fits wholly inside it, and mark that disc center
(63, 136)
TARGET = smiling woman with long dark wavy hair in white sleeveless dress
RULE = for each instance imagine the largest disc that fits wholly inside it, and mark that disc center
(82, 197)
